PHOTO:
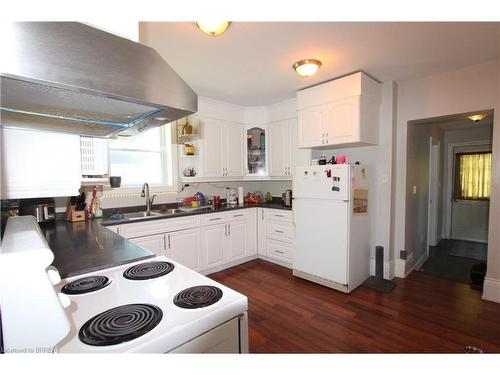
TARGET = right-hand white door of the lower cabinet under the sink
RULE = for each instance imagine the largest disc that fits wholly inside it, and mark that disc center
(184, 247)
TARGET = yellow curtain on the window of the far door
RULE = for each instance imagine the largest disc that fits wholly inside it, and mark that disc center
(473, 175)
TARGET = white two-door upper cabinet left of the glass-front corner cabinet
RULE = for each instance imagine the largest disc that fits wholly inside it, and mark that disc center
(222, 151)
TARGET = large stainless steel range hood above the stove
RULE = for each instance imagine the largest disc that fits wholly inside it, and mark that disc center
(70, 77)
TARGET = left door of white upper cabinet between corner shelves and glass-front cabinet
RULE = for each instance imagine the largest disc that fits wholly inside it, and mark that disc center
(213, 147)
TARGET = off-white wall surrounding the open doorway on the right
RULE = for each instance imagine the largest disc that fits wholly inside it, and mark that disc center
(465, 90)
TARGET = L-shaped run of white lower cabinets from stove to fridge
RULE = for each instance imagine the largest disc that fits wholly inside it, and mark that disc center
(218, 240)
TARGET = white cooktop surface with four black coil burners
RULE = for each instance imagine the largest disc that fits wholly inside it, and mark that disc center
(182, 304)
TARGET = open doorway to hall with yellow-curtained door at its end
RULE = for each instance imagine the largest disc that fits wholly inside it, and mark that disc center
(448, 172)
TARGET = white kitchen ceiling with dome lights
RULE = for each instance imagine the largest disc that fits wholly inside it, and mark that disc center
(251, 64)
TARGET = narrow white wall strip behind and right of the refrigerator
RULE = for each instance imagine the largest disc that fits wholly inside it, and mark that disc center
(378, 160)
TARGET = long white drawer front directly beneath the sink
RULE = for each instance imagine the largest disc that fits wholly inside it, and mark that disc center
(147, 228)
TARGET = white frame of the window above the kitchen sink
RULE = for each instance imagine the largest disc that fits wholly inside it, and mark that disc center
(165, 155)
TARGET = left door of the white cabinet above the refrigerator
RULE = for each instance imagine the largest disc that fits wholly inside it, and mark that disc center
(311, 124)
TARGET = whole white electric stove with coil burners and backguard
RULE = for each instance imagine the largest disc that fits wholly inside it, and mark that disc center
(152, 306)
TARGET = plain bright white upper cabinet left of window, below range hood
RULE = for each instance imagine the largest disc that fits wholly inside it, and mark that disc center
(38, 164)
